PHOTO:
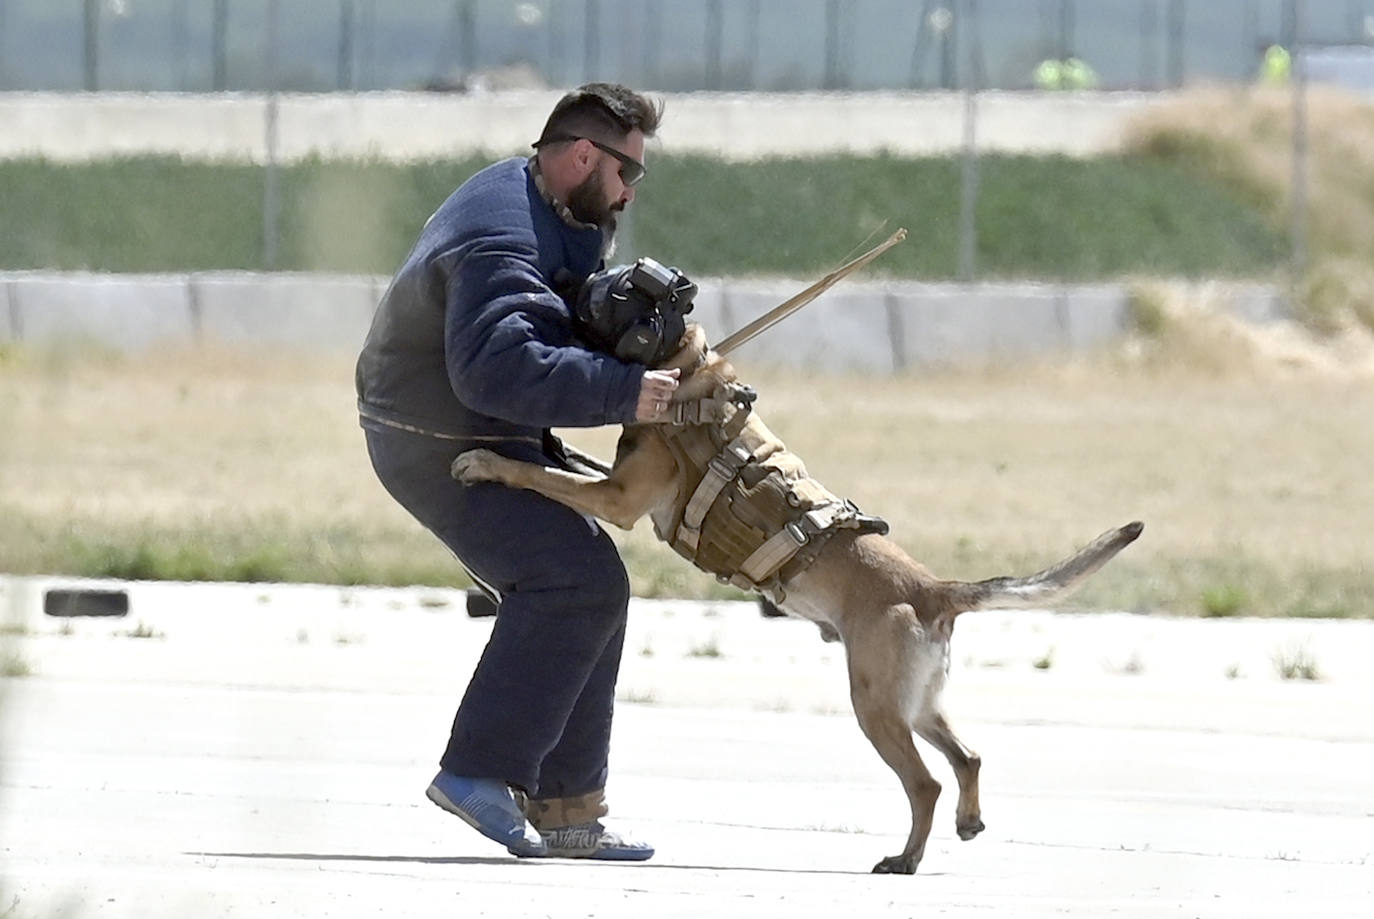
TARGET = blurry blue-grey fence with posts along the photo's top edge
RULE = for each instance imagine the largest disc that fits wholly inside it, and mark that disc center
(207, 46)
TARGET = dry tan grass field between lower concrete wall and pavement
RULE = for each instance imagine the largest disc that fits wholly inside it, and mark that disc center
(1251, 470)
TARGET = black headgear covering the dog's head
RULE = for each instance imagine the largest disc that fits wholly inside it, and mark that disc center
(635, 313)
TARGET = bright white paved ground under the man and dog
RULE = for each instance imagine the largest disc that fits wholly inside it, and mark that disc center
(263, 752)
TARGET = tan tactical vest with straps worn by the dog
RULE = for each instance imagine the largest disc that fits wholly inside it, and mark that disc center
(754, 517)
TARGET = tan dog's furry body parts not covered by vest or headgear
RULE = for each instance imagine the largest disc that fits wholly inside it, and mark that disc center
(894, 616)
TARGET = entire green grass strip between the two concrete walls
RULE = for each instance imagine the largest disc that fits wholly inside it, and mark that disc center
(1050, 218)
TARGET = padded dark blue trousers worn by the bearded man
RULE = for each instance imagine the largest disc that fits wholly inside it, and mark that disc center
(538, 711)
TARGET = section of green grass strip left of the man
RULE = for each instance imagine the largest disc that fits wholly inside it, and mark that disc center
(164, 214)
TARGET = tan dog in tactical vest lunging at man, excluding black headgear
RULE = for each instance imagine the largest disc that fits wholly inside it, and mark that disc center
(701, 477)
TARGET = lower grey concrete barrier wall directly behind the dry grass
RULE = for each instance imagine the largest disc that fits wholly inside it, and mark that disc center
(862, 326)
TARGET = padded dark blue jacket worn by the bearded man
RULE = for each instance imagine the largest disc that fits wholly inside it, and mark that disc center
(472, 341)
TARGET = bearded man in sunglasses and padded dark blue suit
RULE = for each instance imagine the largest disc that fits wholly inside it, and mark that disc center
(475, 347)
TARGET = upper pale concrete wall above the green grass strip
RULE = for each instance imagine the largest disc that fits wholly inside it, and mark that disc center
(409, 126)
